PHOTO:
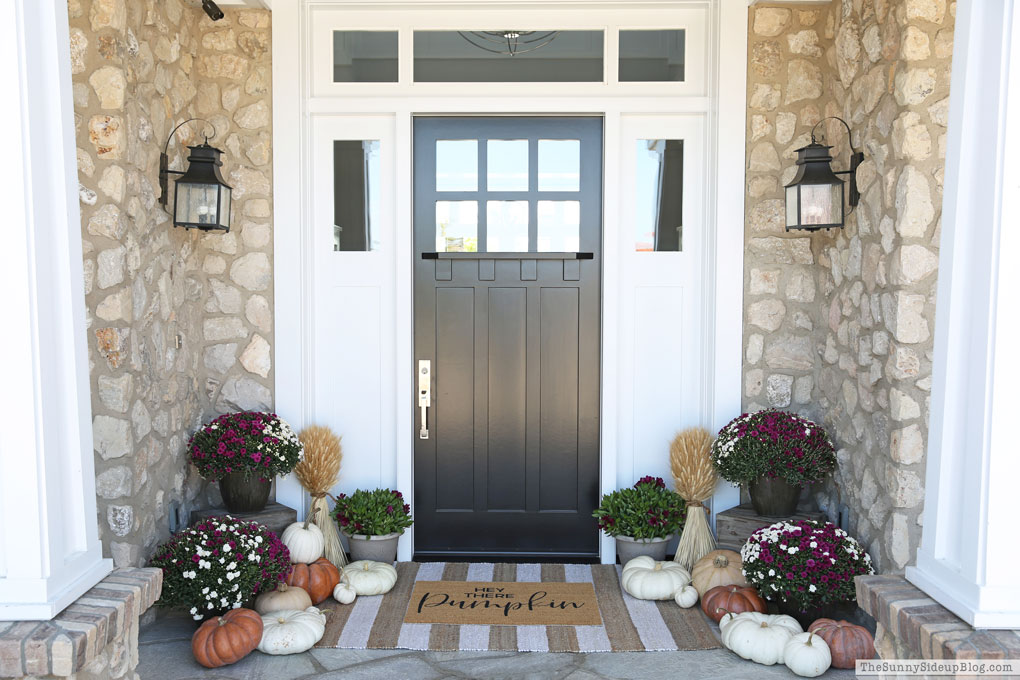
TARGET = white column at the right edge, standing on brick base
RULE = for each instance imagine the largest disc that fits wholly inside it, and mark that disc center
(970, 548)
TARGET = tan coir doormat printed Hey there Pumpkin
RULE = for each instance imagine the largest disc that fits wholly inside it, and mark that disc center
(504, 604)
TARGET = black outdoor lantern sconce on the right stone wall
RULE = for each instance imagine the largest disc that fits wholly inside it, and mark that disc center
(815, 197)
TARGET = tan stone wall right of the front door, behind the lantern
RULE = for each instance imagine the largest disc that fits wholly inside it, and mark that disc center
(839, 325)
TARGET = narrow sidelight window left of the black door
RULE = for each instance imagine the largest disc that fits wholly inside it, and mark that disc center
(355, 195)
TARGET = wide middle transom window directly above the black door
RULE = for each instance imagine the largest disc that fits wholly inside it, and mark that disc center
(484, 57)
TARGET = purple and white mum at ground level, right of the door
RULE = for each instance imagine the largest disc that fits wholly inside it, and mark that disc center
(807, 568)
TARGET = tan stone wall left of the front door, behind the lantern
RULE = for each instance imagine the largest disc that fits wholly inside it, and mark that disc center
(180, 324)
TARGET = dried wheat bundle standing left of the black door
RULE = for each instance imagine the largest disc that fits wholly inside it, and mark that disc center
(318, 473)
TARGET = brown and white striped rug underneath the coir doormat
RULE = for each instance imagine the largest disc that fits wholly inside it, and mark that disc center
(628, 624)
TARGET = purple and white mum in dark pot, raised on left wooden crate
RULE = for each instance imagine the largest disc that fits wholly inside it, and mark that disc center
(244, 452)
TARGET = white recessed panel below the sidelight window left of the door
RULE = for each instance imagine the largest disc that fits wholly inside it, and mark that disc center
(349, 381)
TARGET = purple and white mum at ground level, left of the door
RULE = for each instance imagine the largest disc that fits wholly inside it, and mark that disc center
(219, 565)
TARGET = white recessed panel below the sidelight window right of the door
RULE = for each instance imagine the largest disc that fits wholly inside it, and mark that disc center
(666, 388)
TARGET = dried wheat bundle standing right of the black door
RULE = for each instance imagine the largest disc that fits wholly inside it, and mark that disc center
(695, 478)
